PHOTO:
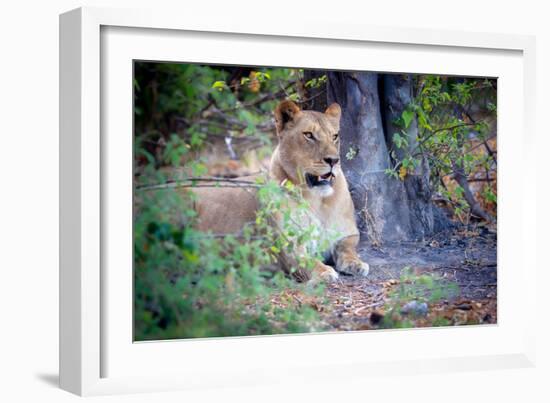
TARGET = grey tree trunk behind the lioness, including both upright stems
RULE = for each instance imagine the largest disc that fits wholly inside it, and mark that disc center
(388, 209)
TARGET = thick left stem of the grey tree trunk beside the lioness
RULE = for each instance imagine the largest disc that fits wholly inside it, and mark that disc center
(380, 201)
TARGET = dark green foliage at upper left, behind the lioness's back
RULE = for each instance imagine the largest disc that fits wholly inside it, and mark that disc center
(198, 103)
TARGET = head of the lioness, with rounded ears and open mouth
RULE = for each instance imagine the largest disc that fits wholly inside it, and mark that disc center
(309, 146)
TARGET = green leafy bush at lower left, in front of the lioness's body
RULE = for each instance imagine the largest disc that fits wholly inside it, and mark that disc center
(192, 284)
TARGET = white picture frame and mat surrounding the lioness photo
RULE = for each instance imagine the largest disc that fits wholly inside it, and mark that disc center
(96, 354)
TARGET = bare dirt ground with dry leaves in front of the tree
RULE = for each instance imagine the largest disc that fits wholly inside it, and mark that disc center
(466, 258)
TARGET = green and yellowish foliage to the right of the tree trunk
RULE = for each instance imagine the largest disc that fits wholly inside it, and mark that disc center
(449, 137)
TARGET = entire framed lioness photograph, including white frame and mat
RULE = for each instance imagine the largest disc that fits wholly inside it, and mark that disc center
(242, 204)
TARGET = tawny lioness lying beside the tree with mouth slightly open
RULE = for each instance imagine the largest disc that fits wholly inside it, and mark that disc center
(308, 156)
